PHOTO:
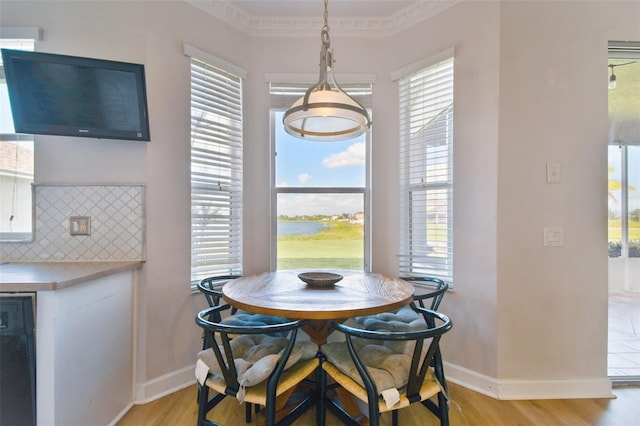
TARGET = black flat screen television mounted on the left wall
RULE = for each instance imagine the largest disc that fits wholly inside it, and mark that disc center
(64, 95)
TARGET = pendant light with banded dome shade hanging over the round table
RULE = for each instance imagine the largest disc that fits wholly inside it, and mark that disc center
(326, 112)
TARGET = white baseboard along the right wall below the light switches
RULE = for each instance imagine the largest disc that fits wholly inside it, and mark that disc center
(530, 389)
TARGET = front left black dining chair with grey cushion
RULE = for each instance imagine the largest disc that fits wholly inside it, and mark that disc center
(255, 364)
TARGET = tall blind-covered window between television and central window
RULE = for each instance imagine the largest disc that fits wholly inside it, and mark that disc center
(216, 166)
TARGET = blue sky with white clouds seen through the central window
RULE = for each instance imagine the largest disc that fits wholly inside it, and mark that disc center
(308, 164)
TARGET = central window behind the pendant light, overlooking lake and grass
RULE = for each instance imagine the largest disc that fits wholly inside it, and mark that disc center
(321, 193)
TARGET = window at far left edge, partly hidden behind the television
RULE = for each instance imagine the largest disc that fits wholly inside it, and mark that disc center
(16, 164)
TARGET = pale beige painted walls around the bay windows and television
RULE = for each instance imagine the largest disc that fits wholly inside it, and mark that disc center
(527, 91)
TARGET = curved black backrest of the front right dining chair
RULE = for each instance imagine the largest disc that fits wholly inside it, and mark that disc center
(423, 355)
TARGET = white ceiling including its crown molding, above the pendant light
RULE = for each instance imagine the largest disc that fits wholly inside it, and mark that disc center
(299, 18)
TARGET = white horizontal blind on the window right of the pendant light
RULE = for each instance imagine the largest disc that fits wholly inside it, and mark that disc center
(426, 171)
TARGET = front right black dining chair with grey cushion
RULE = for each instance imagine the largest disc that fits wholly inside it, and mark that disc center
(379, 366)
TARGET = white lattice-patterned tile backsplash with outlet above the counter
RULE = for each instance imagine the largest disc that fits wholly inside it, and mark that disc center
(117, 224)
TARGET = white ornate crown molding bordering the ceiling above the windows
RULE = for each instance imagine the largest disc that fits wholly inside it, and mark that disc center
(258, 26)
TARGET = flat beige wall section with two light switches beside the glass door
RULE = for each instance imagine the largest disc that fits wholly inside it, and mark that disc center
(552, 301)
